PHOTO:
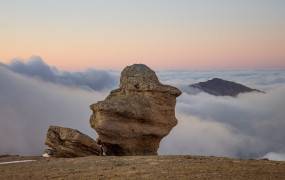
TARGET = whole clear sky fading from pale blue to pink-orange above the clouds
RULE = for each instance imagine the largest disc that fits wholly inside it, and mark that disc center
(165, 34)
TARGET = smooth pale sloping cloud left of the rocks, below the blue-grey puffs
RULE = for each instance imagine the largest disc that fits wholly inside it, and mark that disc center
(28, 106)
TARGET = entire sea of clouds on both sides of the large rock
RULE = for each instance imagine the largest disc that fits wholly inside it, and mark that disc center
(34, 95)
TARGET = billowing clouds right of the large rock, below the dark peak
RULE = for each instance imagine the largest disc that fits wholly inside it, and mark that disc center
(249, 126)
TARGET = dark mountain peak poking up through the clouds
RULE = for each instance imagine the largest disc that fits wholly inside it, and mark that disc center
(220, 87)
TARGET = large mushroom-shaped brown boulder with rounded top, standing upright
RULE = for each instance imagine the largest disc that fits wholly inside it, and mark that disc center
(133, 119)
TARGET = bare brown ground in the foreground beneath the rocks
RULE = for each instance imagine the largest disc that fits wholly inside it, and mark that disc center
(141, 167)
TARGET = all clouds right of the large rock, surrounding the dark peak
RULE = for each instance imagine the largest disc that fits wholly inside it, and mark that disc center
(248, 126)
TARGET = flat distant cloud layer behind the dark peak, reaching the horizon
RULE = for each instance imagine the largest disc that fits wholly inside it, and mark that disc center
(256, 79)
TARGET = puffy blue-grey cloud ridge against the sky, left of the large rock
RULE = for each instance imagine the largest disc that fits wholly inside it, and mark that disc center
(90, 79)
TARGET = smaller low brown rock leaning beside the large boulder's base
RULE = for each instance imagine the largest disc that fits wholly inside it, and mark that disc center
(66, 142)
